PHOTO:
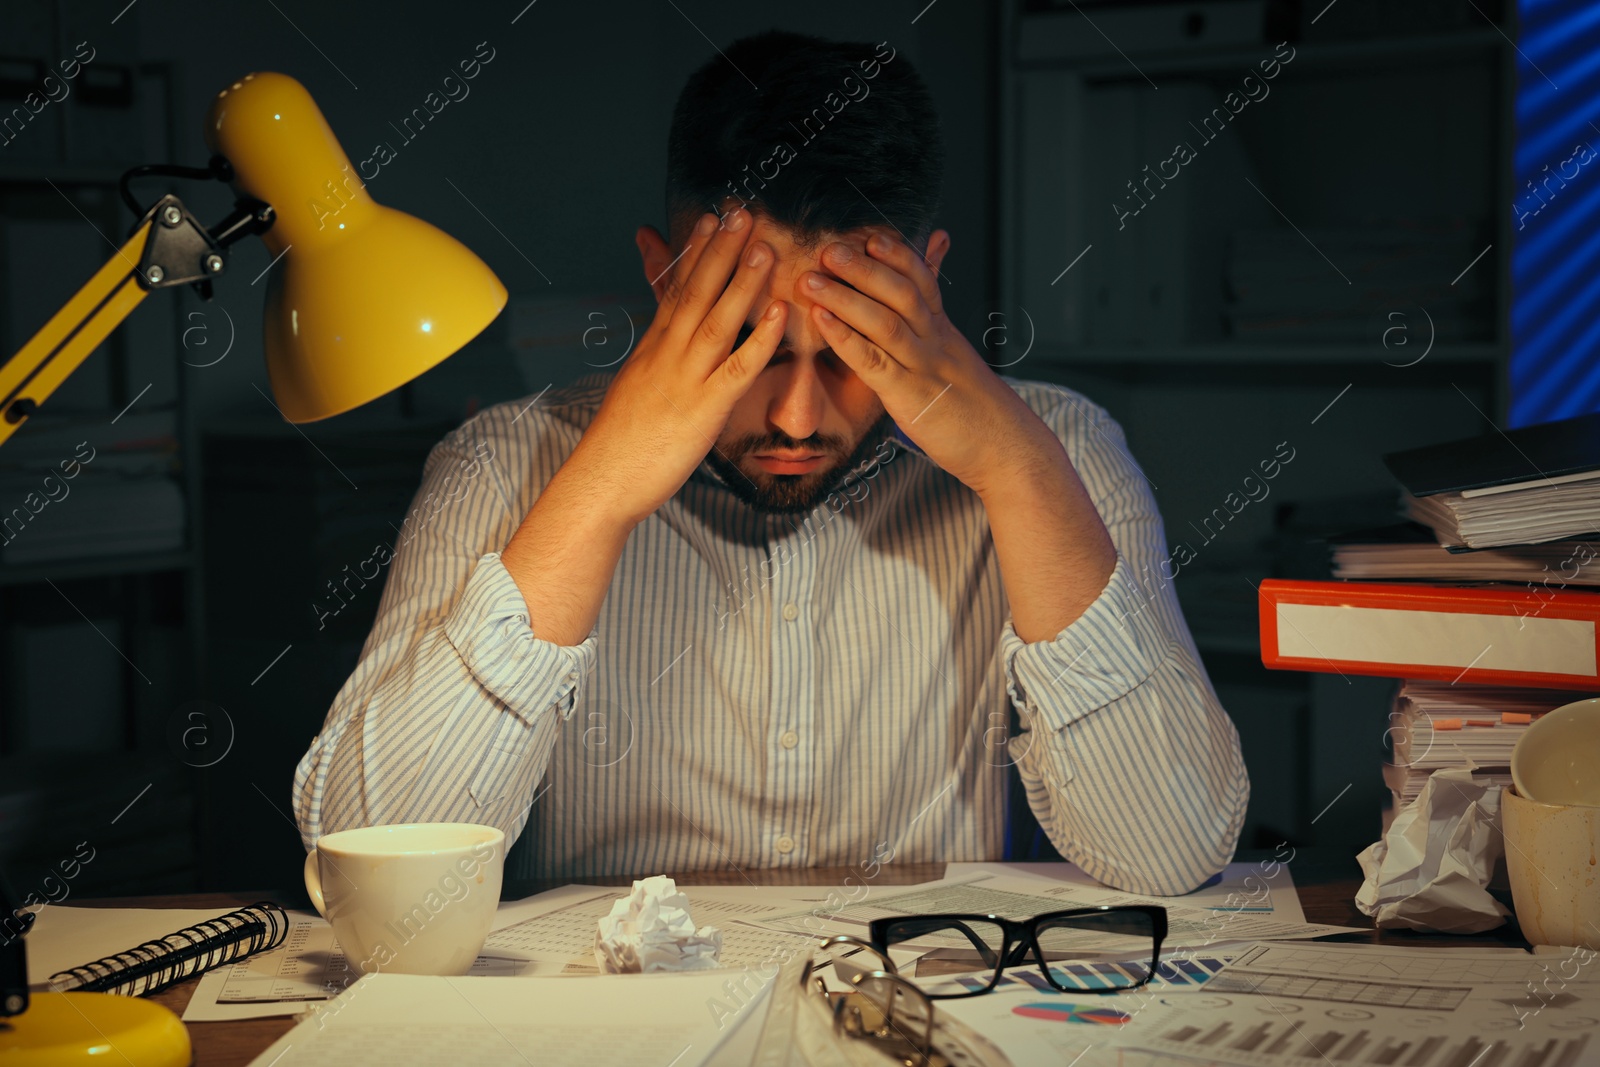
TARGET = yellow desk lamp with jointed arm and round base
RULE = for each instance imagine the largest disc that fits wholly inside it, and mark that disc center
(366, 300)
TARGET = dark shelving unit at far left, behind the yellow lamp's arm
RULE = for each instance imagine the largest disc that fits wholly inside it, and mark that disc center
(97, 705)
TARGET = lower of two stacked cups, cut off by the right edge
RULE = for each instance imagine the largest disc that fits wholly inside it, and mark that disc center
(1551, 853)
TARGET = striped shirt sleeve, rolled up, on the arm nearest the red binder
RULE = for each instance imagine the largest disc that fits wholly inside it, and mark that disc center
(1134, 767)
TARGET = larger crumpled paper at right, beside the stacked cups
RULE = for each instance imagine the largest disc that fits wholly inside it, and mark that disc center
(1433, 869)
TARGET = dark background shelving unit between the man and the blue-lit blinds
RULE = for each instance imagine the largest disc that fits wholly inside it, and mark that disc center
(1374, 178)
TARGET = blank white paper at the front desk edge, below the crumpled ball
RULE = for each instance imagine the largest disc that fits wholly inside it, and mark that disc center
(623, 1021)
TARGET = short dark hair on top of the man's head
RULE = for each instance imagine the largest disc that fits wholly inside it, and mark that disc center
(820, 113)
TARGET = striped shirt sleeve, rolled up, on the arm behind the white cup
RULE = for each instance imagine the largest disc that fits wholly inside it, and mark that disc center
(455, 705)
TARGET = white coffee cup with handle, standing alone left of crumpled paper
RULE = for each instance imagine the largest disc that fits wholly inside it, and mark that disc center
(409, 900)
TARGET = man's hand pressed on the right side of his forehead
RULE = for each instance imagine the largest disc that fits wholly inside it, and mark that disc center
(889, 326)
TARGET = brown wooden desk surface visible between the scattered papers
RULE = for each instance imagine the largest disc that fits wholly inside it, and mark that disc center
(1327, 887)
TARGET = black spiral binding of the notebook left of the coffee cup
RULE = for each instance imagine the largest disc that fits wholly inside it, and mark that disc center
(156, 965)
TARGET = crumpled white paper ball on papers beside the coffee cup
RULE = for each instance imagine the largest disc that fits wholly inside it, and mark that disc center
(650, 930)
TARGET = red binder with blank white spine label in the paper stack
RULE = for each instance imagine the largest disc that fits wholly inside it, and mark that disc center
(1462, 634)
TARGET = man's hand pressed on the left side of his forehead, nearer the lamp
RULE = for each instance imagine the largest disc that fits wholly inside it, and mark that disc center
(674, 394)
